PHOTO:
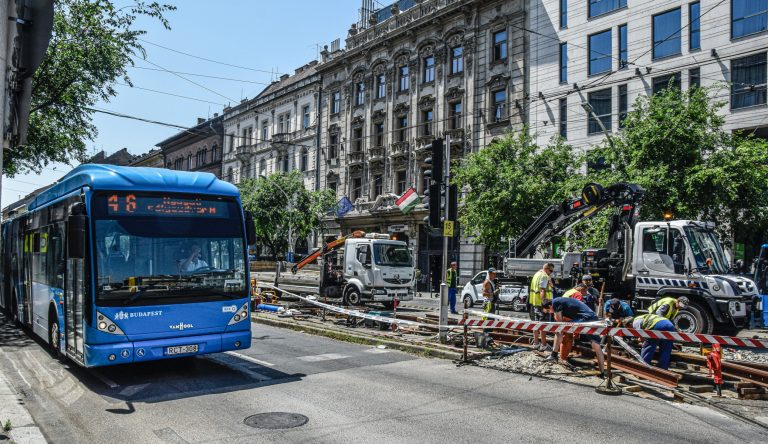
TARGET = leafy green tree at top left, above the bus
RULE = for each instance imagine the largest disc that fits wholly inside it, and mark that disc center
(93, 43)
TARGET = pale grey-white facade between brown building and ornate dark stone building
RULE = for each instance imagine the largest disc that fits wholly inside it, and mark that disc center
(276, 131)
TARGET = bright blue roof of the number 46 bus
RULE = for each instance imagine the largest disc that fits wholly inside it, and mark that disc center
(111, 177)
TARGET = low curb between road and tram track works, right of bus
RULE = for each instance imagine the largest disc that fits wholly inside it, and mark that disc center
(420, 350)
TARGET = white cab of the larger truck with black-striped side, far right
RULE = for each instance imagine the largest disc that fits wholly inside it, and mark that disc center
(685, 258)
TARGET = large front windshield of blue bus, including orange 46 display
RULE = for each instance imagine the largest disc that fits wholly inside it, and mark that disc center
(154, 249)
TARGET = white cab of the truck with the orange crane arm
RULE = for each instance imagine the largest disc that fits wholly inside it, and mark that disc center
(377, 269)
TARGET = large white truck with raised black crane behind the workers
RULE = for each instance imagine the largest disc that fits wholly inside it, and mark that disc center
(642, 261)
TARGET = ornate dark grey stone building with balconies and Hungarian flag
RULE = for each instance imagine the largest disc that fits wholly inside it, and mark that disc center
(415, 71)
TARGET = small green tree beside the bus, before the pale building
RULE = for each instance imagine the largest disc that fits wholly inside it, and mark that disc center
(280, 203)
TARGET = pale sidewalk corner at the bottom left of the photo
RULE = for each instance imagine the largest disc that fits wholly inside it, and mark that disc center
(23, 428)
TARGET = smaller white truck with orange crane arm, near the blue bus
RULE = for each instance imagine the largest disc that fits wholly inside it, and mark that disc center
(372, 268)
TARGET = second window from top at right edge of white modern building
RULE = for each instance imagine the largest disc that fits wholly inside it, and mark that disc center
(748, 77)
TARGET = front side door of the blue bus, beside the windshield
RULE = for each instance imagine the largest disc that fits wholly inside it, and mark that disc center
(73, 303)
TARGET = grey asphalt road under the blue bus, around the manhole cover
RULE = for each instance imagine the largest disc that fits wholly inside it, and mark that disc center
(350, 393)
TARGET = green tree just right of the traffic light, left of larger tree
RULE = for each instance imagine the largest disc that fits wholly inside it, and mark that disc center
(510, 182)
